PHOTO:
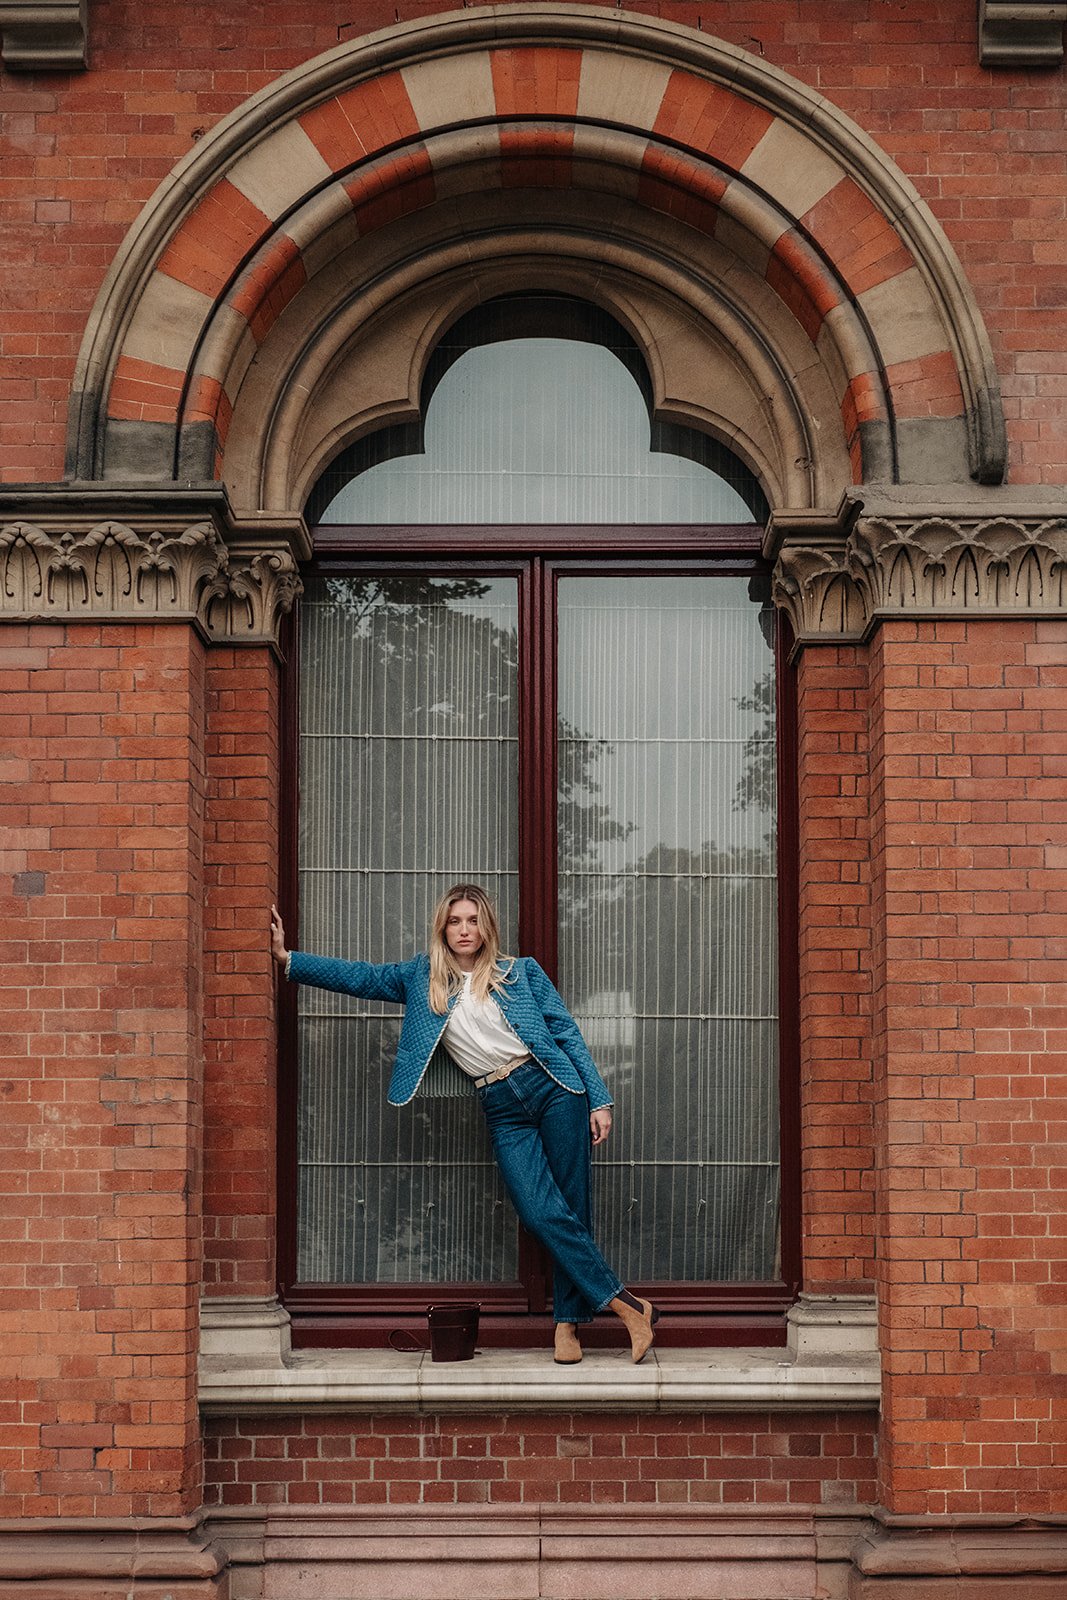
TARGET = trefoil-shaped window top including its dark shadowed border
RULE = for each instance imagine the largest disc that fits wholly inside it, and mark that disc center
(537, 410)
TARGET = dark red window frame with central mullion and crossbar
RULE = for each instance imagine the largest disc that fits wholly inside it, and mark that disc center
(695, 1314)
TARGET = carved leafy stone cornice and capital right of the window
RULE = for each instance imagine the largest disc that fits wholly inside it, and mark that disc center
(839, 578)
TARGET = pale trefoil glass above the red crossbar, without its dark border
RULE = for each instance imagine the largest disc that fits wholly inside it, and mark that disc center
(538, 431)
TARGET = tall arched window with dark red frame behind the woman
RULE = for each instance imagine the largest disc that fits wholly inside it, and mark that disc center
(537, 652)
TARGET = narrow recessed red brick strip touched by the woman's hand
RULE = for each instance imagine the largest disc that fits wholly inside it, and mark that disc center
(241, 874)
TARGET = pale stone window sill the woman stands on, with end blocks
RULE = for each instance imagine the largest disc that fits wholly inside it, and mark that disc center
(247, 1366)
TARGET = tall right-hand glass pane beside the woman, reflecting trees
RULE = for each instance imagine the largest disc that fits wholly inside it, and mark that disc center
(668, 914)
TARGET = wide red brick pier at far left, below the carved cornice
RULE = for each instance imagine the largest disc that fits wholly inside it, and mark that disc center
(102, 892)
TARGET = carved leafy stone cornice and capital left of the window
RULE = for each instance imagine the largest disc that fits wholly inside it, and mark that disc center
(95, 556)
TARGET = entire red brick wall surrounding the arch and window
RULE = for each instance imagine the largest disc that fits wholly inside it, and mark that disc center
(105, 738)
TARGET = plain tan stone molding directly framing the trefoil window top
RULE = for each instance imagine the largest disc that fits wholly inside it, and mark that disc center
(359, 337)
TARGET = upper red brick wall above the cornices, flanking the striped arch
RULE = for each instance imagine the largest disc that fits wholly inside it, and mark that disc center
(82, 153)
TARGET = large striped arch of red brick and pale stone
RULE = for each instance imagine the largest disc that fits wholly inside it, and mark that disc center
(430, 134)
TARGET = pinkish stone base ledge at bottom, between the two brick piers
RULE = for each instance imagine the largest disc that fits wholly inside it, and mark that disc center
(597, 1551)
